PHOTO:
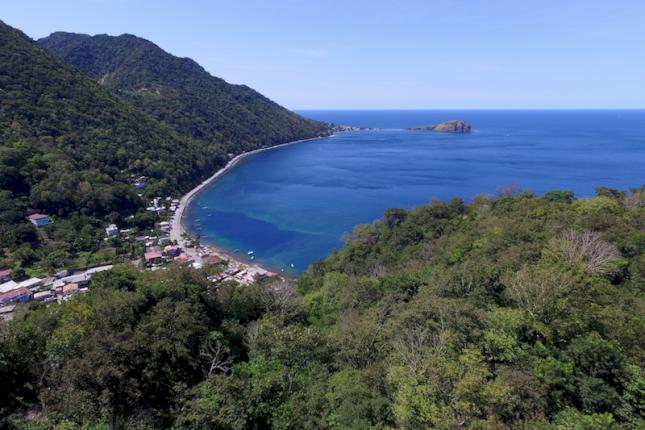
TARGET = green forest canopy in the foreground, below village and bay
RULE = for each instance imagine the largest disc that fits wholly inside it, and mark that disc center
(510, 312)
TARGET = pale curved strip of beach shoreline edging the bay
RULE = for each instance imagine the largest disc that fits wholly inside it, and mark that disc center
(178, 228)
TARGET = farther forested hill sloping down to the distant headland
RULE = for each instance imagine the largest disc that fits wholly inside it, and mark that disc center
(181, 93)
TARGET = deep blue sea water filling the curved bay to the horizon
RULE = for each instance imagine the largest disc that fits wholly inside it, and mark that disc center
(291, 205)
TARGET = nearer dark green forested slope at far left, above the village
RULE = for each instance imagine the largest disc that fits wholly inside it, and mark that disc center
(60, 133)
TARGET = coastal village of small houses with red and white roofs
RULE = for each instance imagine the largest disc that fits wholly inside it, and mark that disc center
(159, 250)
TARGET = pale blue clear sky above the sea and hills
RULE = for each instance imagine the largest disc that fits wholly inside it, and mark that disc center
(374, 54)
